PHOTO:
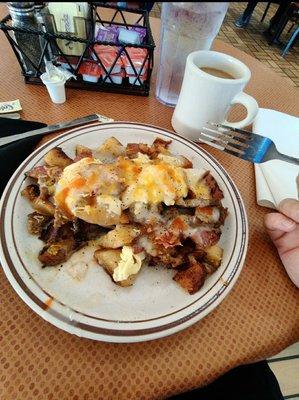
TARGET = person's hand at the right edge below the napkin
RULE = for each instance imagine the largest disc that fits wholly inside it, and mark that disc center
(283, 228)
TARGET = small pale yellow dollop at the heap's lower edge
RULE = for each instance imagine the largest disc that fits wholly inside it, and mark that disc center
(129, 264)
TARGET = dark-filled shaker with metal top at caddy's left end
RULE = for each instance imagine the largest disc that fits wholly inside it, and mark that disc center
(23, 16)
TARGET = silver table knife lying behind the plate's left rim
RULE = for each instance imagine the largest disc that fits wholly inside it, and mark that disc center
(54, 128)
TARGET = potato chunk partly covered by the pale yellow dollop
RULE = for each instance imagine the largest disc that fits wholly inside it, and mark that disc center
(109, 260)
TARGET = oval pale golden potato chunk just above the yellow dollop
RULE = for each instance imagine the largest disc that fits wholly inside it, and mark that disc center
(122, 235)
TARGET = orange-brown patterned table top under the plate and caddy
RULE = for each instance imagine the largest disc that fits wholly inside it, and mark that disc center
(258, 318)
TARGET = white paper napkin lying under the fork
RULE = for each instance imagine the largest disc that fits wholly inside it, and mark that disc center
(276, 180)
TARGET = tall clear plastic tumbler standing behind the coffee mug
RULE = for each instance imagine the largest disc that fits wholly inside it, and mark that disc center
(185, 27)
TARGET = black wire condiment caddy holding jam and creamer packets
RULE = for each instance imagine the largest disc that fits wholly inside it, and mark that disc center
(51, 49)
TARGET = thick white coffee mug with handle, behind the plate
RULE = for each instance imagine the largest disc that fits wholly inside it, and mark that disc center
(208, 98)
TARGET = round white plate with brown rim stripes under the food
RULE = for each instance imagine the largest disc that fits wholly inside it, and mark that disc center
(94, 307)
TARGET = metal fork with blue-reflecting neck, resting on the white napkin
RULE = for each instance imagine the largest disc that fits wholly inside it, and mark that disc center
(243, 144)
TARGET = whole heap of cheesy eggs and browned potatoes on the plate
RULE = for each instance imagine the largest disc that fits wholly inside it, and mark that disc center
(137, 204)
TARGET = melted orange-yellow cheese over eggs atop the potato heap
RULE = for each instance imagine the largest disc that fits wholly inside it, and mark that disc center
(88, 188)
